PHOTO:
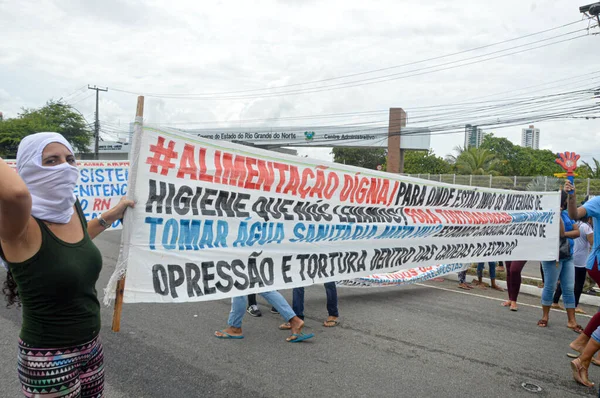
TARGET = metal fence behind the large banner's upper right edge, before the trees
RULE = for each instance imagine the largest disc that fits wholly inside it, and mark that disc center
(584, 186)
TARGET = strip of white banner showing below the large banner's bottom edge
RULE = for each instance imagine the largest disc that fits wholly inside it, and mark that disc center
(406, 277)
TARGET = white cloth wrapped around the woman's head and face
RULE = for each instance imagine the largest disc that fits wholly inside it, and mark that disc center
(51, 187)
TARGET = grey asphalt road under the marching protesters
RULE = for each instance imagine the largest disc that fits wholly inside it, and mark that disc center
(420, 341)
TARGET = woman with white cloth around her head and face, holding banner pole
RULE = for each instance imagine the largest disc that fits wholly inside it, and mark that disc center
(53, 267)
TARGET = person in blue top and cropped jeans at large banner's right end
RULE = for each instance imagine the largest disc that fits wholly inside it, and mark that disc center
(562, 270)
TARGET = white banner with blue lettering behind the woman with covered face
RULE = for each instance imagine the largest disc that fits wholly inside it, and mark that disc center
(102, 183)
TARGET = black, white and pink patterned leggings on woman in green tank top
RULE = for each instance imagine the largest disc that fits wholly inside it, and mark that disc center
(71, 372)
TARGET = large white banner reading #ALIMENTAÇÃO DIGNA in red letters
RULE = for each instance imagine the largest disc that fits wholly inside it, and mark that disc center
(216, 220)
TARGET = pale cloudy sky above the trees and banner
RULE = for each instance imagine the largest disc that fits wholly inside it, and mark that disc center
(190, 54)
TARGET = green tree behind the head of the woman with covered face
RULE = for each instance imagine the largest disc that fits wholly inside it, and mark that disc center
(55, 117)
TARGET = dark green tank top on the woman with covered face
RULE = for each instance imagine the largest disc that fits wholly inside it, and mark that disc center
(57, 287)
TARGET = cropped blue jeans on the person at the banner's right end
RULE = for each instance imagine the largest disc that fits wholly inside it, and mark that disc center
(565, 272)
